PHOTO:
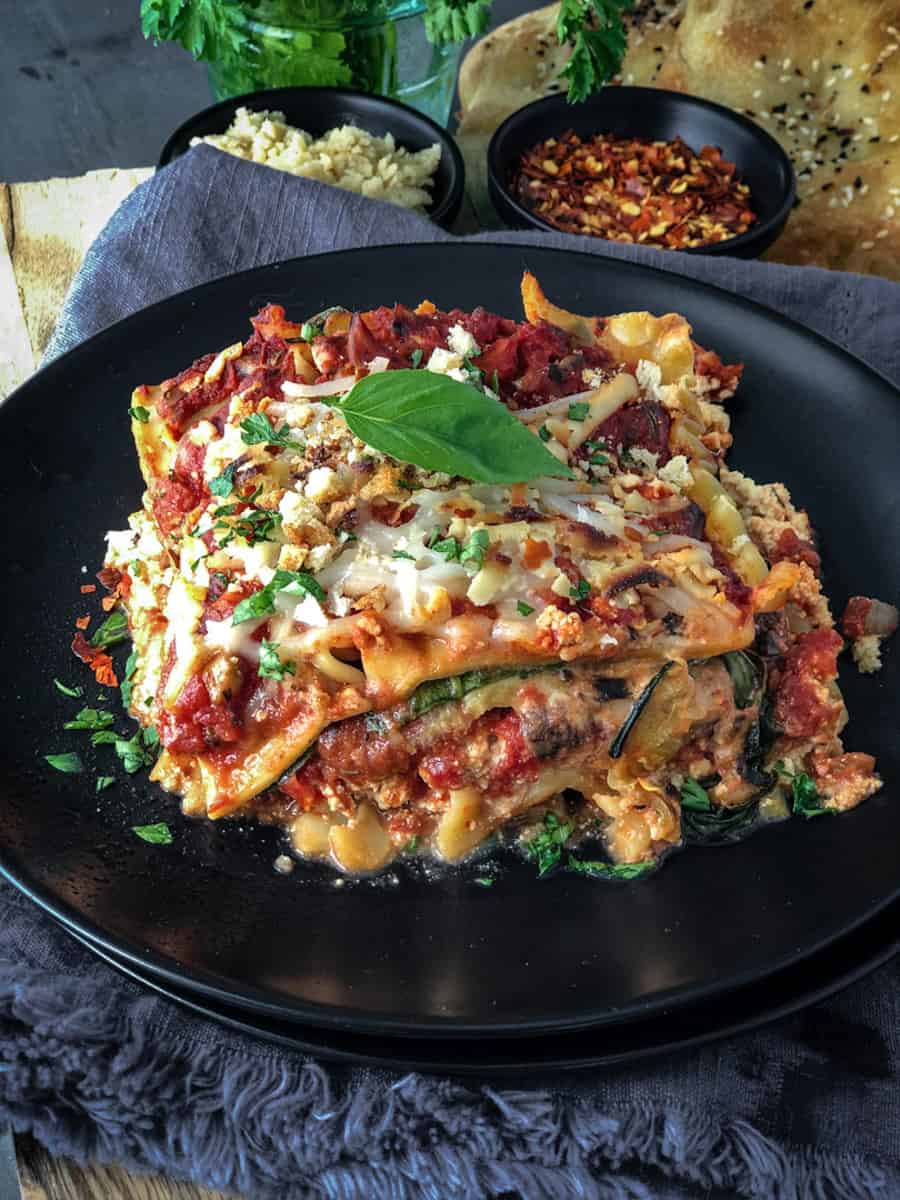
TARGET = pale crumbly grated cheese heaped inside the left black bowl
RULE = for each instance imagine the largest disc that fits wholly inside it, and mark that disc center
(346, 158)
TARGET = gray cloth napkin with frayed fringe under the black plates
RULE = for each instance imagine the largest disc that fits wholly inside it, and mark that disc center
(98, 1067)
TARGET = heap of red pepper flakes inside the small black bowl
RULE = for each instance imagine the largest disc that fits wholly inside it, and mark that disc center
(657, 194)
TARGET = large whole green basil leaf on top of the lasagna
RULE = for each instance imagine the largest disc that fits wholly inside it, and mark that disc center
(441, 424)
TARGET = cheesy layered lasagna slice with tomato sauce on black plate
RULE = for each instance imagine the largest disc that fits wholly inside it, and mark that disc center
(376, 656)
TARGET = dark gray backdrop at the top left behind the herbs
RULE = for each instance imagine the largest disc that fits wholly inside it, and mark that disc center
(81, 88)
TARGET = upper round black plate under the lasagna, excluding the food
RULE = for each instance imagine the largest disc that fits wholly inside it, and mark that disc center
(440, 957)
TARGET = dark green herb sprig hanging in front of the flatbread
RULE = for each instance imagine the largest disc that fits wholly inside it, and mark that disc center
(597, 33)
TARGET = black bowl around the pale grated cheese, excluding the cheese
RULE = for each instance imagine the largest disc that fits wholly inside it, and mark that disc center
(320, 110)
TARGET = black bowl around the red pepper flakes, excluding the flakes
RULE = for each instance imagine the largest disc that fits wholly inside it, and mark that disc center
(653, 115)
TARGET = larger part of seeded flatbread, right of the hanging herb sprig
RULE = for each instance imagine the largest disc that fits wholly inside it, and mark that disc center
(823, 80)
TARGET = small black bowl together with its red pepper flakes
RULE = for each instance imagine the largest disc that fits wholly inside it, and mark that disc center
(643, 166)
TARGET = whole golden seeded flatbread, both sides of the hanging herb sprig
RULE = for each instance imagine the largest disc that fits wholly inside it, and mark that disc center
(823, 79)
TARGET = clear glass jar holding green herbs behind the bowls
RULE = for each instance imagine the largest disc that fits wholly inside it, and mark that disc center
(371, 45)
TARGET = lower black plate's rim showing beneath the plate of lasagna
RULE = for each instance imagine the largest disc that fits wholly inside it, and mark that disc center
(837, 967)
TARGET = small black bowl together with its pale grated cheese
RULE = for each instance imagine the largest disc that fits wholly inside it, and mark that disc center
(367, 145)
